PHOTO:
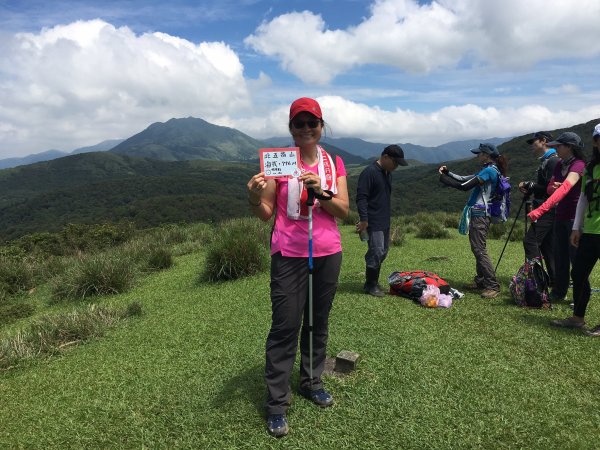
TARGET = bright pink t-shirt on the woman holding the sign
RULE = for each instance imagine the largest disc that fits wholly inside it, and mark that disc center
(290, 237)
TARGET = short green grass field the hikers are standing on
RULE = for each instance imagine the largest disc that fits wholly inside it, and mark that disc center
(188, 373)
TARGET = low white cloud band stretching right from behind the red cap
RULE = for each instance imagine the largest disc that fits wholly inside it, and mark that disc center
(346, 118)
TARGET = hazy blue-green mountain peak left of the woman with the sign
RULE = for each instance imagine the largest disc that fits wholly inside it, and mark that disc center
(187, 139)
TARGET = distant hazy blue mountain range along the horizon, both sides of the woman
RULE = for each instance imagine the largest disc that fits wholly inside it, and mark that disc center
(192, 138)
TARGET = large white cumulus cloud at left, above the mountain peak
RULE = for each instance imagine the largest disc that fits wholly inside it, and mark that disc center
(87, 81)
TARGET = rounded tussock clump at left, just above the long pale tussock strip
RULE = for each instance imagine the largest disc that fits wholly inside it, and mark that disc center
(97, 274)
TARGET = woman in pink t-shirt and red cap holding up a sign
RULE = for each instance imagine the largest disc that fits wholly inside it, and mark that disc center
(286, 198)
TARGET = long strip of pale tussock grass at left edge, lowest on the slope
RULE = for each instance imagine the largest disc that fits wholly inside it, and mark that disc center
(51, 334)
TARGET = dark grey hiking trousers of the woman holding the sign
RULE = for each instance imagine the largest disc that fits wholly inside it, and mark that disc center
(289, 304)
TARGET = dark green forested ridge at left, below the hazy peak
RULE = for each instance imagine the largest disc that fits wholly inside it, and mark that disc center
(98, 187)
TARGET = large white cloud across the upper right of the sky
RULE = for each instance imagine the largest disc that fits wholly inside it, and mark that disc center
(421, 37)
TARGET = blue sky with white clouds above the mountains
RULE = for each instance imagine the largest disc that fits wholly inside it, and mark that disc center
(74, 73)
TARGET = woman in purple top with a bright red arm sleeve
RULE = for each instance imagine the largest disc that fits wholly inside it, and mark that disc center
(564, 189)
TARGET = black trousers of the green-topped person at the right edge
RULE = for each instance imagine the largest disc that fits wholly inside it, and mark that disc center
(588, 253)
